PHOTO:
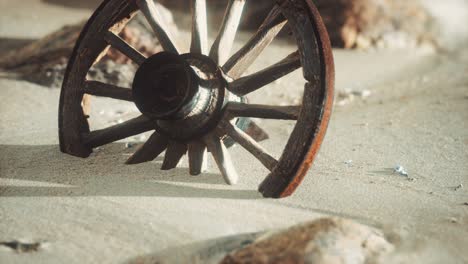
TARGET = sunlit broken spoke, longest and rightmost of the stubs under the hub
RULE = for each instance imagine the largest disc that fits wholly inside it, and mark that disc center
(222, 158)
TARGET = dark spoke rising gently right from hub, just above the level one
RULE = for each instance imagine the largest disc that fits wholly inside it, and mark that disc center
(253, 82)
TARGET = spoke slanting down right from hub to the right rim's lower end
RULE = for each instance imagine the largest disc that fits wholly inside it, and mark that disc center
(249, 144)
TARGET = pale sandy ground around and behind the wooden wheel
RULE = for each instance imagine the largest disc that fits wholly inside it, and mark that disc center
(98, 210)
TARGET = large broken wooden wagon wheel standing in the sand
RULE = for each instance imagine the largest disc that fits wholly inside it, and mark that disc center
(194, 101)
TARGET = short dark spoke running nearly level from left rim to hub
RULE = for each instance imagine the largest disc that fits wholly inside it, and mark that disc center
(107, 90)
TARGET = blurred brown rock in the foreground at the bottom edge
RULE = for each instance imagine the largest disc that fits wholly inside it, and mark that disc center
(328, 240)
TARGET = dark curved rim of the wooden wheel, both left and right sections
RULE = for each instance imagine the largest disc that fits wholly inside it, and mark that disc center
(318, 70)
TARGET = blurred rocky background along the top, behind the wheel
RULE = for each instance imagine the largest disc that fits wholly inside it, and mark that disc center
(352, 24)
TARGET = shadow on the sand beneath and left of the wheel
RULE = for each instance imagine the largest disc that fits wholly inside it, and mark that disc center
(42, 170)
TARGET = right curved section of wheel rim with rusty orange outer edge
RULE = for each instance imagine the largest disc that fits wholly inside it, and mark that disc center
(318, 68)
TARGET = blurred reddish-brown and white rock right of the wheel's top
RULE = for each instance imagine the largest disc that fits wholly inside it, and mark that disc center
(375, 23)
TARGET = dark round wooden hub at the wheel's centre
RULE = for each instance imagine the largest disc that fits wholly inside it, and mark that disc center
(184, 94)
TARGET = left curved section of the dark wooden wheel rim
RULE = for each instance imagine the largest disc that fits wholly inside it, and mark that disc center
(89, 47)
